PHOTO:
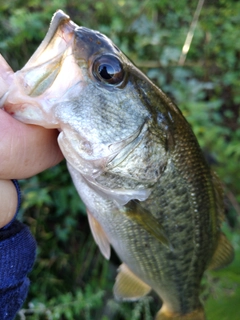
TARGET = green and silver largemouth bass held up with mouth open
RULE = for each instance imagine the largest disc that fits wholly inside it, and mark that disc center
(135, 162)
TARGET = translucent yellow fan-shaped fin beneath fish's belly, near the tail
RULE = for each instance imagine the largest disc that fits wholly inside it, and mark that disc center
(128, 286)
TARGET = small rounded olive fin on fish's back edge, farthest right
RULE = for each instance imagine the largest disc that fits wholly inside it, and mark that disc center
(223, 254)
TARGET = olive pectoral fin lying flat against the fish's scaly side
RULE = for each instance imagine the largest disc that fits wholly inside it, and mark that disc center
(147, 221)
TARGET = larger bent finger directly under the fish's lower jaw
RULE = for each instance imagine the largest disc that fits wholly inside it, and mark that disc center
(26, 150)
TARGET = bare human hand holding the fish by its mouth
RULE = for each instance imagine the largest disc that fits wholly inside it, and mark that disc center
(25, 150)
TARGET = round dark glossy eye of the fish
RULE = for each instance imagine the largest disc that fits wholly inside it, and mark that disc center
(108, 69)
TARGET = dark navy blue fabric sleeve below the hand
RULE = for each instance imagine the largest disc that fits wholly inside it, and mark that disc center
(17, 255)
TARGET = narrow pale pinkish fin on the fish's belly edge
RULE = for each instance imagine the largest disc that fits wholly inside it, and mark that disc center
(99, 236)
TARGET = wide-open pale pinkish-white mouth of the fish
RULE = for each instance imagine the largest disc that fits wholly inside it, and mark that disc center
(45, 78)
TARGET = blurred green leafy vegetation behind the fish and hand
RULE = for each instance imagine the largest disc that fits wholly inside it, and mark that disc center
(71, 280)
